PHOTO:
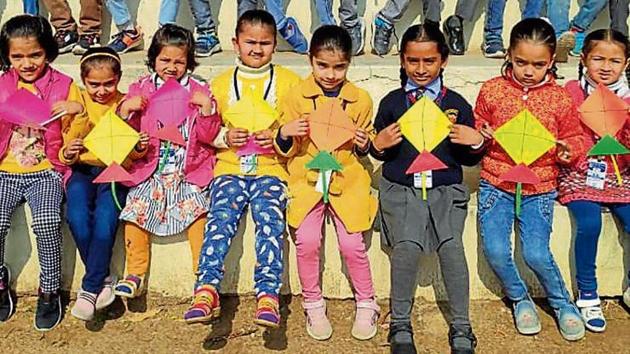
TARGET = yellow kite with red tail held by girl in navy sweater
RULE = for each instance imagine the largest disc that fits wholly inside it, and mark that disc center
(424, 125)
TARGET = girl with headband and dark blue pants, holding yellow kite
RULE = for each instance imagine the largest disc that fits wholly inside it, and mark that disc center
(97, 137)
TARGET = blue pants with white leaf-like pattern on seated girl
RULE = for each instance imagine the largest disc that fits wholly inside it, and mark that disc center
(229, 196)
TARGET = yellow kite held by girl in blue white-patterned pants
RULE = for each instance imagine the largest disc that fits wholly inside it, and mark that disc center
(253, 114)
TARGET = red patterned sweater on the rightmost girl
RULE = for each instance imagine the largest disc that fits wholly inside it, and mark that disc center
(572, 180)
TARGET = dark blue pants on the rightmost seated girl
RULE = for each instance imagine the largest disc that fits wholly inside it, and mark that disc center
(588, 223)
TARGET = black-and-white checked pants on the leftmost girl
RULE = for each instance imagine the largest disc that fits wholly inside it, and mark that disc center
(43, 191)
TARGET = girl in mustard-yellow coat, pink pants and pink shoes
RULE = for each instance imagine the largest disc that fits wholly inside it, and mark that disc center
(330, 55)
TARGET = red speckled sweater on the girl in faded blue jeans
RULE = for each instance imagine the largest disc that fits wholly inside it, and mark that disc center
(499, 100)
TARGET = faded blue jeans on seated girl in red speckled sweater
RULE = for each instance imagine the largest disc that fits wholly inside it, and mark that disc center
(496, 216)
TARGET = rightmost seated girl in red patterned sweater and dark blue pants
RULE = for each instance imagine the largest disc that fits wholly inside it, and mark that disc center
(604, 59)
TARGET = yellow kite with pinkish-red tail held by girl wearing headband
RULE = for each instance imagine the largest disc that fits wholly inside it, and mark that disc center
(111, 140)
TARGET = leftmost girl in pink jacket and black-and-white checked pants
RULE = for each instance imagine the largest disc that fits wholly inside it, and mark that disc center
(29, 158)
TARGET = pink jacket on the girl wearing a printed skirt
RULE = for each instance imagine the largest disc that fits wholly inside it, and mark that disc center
(200, 155)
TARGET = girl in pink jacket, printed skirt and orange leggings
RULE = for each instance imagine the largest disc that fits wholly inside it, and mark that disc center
(167, 199)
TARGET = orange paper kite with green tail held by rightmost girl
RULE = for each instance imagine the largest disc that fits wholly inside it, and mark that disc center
(605, 114)
